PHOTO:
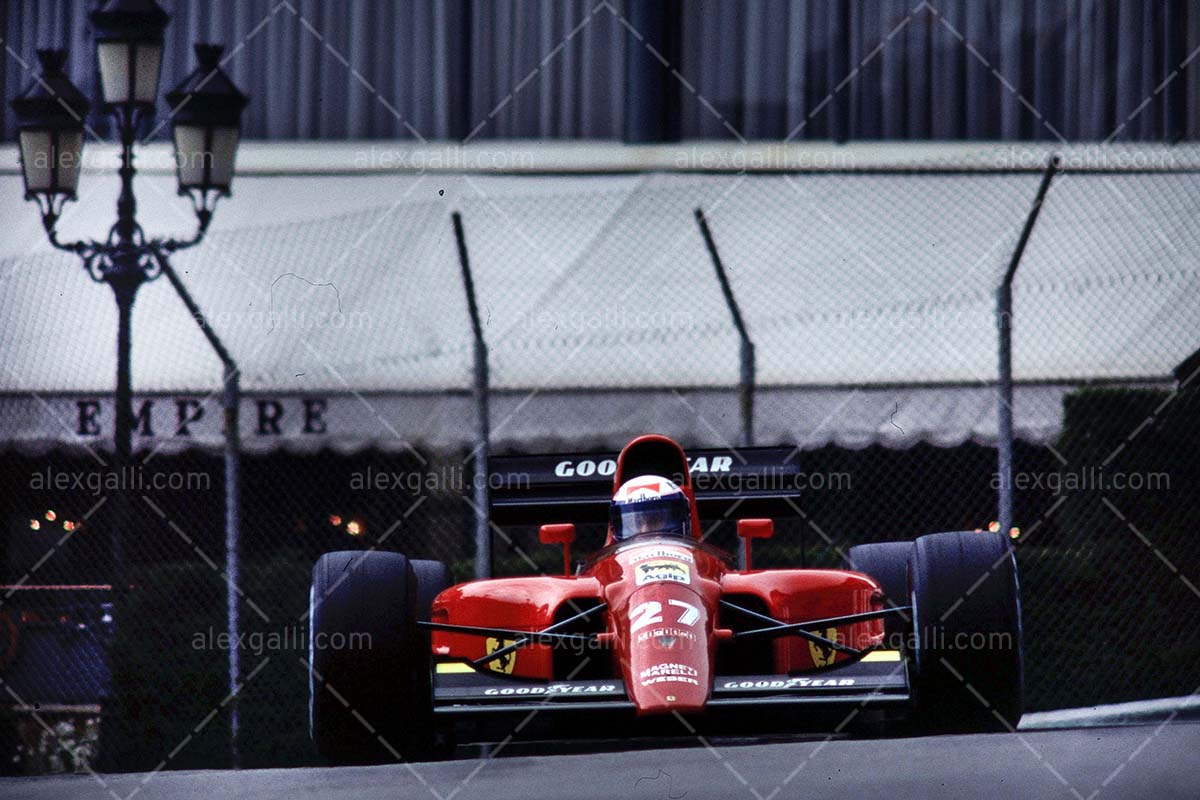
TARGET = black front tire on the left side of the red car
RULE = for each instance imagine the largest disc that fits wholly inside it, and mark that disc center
(369, 688)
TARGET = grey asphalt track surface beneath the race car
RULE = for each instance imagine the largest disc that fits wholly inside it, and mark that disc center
(1147, 762)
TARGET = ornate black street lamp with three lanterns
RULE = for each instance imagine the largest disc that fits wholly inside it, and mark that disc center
(51, 122)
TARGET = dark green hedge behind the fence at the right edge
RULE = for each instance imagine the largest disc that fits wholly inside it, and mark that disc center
(1107, 619)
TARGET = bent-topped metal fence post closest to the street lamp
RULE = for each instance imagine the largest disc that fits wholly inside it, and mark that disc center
(231, 401)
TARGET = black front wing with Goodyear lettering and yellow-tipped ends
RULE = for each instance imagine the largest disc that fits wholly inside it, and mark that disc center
(879, 678)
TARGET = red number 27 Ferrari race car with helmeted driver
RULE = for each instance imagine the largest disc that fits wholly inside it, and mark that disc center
(661, 628)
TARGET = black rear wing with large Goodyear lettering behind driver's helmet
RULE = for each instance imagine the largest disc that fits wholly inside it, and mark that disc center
(578, 488)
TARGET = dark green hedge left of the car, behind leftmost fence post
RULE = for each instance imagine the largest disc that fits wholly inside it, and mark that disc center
(171, 671)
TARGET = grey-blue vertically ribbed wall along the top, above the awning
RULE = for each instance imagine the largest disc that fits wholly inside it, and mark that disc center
(765, 69)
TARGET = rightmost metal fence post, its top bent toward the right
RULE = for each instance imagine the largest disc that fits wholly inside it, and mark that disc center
(1005, 334)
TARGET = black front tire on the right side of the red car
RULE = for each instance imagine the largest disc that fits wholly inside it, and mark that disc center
(968, 664)
